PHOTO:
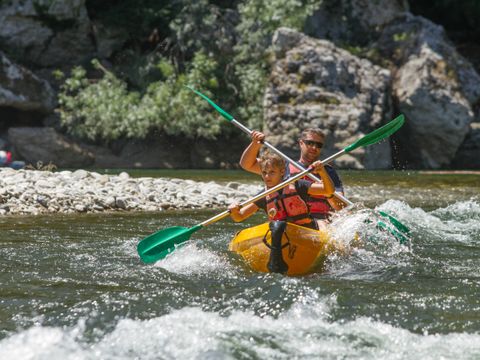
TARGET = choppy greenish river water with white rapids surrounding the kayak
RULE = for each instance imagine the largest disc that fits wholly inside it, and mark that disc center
(73, 287)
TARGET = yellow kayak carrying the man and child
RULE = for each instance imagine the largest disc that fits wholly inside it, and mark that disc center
(303, 250)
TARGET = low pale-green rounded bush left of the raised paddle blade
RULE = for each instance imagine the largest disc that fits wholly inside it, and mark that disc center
(105, 110)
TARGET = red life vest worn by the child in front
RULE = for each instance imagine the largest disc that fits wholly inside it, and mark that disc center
(288, 205)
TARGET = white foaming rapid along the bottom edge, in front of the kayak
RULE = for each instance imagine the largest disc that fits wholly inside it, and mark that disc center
(304, 331)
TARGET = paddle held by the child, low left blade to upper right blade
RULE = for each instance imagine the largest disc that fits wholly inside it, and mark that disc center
(158, 245)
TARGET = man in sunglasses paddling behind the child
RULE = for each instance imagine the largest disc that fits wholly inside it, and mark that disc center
(311, 142)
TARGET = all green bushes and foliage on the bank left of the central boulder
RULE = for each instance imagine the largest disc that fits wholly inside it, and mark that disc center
(222, 51)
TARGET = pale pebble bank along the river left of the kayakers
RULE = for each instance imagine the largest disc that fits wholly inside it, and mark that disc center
(30, 192)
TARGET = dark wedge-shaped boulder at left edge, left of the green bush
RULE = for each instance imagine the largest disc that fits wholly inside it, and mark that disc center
(21, 89)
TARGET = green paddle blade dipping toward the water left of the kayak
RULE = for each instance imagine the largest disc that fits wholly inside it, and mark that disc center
(158, 245)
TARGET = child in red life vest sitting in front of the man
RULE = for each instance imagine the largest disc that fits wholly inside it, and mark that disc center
(290, 203)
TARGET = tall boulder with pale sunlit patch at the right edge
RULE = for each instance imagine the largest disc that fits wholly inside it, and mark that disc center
(434, 86)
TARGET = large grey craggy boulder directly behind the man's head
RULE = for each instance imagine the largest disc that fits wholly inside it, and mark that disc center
(313, 83)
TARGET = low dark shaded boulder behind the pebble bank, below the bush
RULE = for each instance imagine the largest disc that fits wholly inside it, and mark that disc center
(34, 144)
